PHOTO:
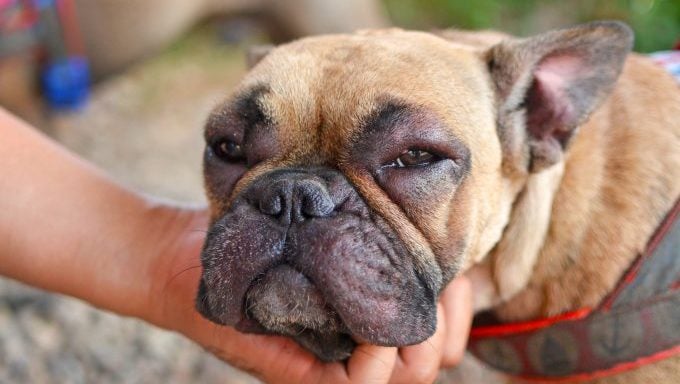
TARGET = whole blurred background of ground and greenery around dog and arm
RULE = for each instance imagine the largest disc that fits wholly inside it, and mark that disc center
(127, 84)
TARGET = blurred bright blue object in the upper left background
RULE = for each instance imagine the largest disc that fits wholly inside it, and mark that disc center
(66, 83)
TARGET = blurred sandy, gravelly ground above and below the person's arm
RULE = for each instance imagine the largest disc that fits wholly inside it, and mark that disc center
(144, 128)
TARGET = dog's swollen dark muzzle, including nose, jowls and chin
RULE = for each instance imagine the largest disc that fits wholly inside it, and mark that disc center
(300, 254)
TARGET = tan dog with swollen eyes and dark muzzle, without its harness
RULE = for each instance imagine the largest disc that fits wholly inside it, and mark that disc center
(350, 177)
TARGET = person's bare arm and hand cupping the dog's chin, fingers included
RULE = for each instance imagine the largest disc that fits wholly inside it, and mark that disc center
(68, 228)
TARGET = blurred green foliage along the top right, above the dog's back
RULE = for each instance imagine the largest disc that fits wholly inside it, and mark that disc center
(656, 22)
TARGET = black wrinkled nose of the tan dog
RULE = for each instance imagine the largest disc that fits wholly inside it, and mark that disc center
(295, 199)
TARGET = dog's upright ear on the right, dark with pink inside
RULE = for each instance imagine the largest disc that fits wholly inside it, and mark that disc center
(546, 86)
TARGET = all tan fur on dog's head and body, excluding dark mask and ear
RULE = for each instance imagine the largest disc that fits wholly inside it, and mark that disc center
(538, 244)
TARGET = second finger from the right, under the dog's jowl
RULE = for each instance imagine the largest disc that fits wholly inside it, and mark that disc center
(420, 363)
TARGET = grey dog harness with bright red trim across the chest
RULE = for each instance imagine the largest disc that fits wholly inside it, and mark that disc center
(635, 325)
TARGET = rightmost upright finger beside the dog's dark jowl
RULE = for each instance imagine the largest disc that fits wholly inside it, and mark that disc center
(456, 300)
